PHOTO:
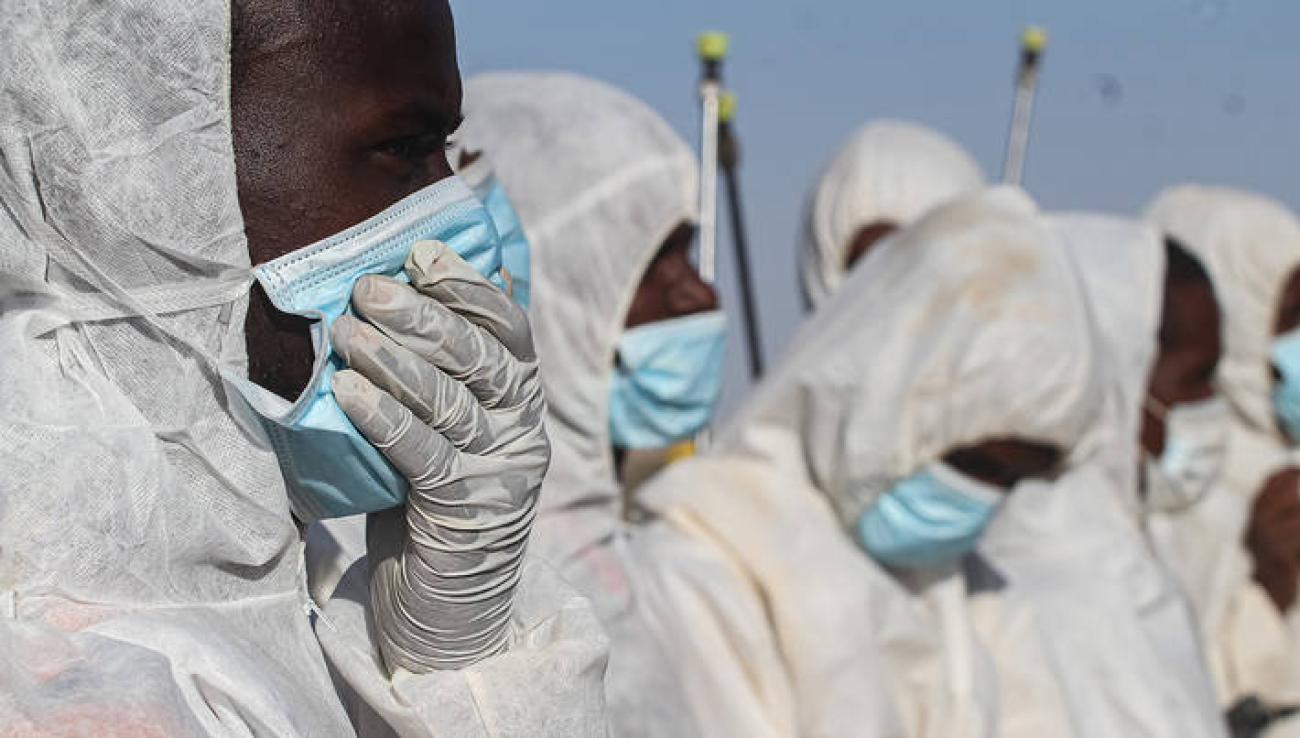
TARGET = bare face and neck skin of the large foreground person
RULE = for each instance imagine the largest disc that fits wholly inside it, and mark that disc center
(340, 110)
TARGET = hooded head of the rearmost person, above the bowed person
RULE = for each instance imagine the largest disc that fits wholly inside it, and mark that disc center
(883, 179)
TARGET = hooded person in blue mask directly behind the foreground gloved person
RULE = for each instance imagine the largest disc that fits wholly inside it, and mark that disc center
(630, 338)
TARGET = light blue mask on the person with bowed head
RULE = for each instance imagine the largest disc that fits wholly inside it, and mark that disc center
(933, 518)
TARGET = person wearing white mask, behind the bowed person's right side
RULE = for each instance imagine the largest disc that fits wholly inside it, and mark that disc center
(1090, 633)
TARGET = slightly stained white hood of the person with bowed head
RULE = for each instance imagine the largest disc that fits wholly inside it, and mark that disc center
(974, 280)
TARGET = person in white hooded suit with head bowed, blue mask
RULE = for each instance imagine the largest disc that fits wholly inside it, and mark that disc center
(915, 528)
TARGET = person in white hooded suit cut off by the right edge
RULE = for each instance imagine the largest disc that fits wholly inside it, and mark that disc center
(1251, 248)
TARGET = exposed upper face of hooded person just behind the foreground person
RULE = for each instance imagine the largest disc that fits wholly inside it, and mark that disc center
(671, 286)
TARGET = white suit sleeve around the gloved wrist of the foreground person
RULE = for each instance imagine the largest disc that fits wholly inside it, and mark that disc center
(549, 681)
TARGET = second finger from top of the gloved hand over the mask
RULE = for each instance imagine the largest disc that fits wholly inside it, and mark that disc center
(440, 337)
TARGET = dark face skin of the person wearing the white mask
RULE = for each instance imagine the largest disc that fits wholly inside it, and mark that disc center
(1190, 348)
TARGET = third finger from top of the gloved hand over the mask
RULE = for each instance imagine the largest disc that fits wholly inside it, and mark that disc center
(436, 400)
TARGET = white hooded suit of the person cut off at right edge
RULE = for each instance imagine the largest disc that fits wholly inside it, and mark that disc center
(1251, 246)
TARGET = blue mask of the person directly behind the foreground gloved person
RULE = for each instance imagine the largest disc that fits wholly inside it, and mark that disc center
(668, 380)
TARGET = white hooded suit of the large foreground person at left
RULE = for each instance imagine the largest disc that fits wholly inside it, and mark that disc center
(151, 578)
